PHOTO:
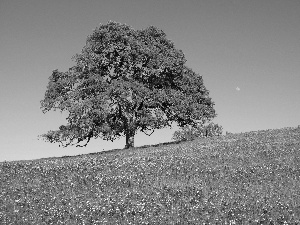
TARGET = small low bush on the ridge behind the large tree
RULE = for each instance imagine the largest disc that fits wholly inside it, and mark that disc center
(188, 132)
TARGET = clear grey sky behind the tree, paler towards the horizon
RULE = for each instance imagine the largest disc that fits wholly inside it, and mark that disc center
(248, 52)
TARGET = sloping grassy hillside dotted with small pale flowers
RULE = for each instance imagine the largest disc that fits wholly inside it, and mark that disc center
(247, 178)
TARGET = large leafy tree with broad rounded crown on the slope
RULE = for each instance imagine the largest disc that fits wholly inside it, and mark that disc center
(125, 80)
